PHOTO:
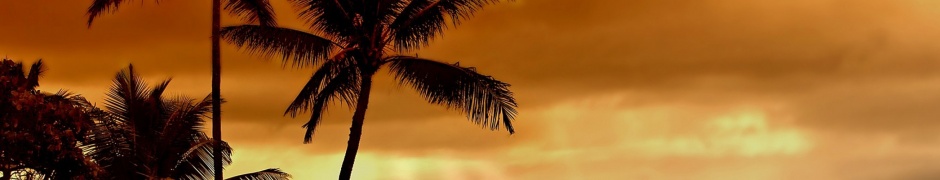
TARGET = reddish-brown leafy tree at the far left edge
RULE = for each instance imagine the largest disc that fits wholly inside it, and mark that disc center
(41, 134)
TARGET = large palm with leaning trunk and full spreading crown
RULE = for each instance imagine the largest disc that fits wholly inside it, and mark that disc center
(355, 38)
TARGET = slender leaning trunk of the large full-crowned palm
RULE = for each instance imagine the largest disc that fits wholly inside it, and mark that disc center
(355, 132)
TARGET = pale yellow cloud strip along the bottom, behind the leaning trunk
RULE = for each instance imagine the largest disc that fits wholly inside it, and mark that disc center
(369, 165)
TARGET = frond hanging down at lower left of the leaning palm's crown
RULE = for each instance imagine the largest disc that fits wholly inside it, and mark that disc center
(334, 79)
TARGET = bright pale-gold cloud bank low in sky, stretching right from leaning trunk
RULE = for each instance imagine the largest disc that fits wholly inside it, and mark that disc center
(602, 137)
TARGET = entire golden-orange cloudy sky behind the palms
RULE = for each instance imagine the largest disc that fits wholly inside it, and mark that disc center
(608, 89)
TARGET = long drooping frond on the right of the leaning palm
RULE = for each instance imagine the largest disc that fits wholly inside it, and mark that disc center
(485, 100)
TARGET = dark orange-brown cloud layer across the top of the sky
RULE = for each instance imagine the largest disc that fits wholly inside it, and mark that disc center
(756, 48)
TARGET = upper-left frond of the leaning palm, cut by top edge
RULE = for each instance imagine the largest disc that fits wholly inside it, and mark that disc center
(334, 17)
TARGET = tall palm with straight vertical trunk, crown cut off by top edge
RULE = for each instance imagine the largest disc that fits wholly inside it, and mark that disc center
(259, 11)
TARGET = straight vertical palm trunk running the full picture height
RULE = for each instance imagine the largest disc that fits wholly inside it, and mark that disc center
(216, 94)
